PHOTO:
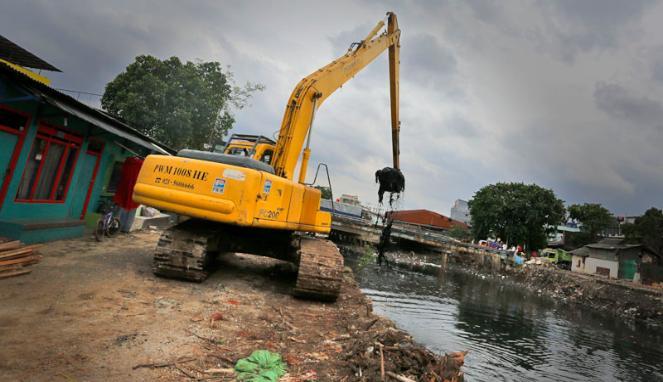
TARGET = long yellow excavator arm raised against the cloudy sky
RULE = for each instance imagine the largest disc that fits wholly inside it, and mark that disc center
(312, 91)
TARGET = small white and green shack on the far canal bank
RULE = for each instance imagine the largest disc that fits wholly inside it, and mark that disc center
(613, 259)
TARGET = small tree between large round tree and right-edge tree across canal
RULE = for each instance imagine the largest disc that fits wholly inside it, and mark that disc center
(594, 218)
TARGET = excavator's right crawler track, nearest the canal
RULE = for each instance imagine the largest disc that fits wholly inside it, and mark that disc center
(320, 274)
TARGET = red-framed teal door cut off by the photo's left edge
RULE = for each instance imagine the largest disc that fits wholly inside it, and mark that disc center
(12, 133)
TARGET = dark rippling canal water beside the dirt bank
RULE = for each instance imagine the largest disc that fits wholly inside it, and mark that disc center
(511, 333)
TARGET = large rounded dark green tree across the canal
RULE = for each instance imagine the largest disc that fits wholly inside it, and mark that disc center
(516, 213)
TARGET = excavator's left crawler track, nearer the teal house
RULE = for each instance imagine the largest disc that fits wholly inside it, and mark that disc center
(182, 253)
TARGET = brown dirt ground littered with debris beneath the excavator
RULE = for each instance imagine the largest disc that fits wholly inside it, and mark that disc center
(95, 312)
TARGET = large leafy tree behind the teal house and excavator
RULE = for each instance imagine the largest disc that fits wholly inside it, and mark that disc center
(179, 104)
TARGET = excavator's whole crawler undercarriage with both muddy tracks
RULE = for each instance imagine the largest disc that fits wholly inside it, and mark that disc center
(186, 251)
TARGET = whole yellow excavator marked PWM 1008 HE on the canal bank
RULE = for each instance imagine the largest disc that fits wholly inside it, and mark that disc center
(248, 203)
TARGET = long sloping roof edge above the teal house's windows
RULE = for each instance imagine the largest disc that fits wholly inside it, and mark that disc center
(87, 113)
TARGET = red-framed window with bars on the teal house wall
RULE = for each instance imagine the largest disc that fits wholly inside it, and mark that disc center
(50, 166)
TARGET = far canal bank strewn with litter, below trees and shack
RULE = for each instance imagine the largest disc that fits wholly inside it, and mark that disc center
(623, 299)
